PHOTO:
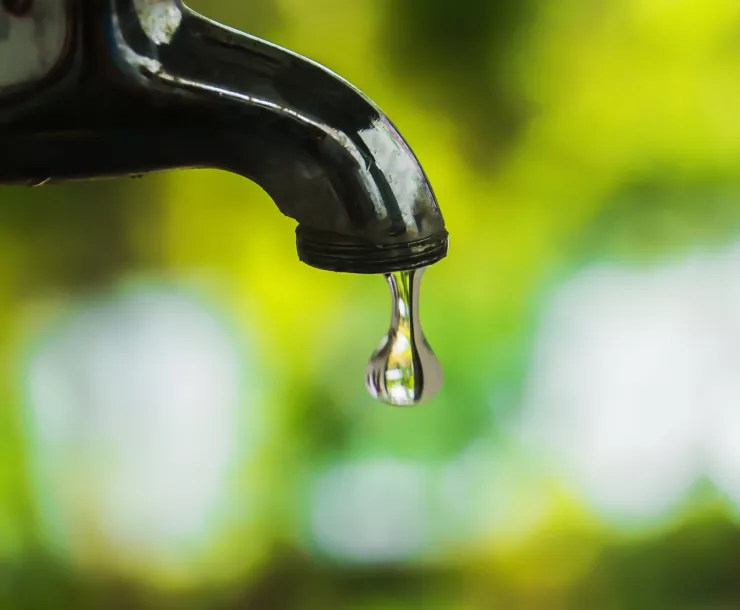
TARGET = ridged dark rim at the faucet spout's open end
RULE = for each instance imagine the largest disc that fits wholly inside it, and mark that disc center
(339, 253)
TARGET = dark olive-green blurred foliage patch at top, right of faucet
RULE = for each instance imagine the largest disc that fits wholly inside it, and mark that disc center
(459, 54)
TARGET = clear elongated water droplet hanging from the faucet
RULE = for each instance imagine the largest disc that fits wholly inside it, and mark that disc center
(404, 370)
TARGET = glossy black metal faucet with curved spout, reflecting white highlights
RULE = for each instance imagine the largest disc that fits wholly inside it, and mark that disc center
(150, 85)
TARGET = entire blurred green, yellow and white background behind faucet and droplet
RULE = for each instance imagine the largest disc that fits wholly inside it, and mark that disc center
(183, 420)
